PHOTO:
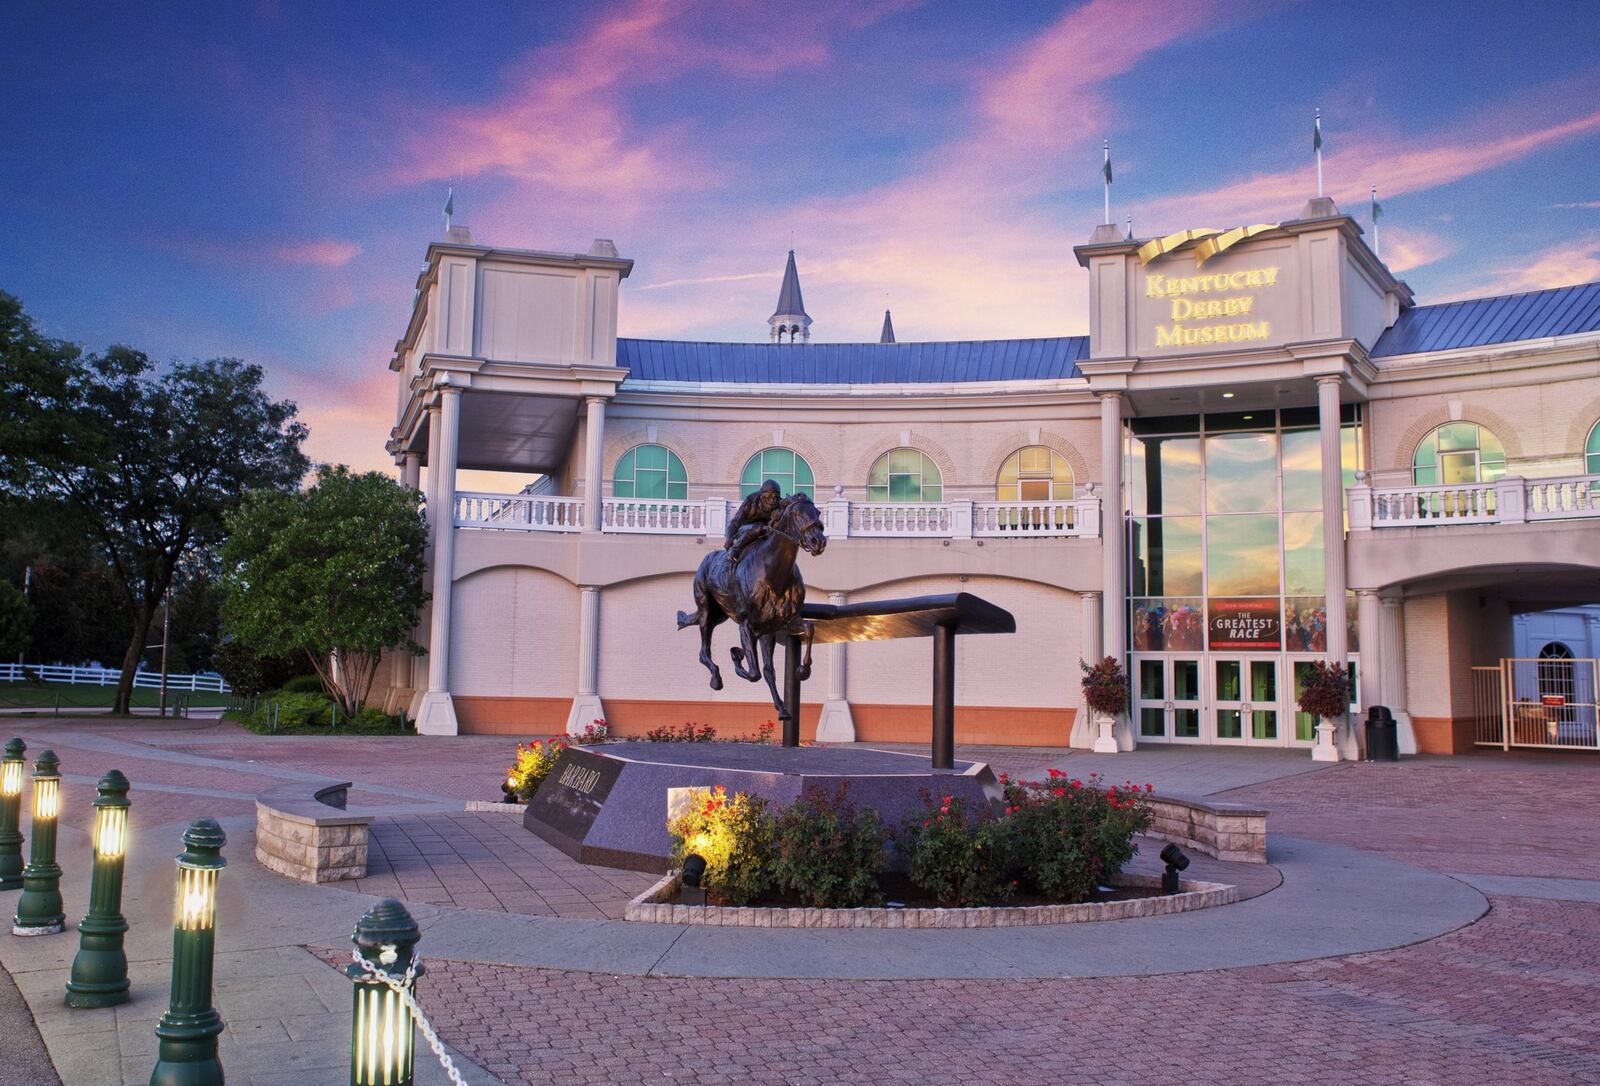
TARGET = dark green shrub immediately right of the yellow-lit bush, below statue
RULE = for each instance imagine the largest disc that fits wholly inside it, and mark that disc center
(826, 853)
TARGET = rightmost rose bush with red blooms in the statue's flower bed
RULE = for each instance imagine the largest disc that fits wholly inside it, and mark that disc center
(1068, 837)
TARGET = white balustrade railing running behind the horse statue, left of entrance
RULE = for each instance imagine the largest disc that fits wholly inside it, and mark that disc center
(1066, 519)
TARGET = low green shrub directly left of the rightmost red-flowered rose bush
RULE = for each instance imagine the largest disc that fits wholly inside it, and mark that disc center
(958, 860)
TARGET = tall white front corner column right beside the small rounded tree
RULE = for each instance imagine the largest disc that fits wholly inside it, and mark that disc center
(438, 714)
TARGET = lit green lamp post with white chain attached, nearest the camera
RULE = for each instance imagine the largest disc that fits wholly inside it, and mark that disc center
(383, 1029)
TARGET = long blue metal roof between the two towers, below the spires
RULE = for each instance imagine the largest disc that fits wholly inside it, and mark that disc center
(854, 364)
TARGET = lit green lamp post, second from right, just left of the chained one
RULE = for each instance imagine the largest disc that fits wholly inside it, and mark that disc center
(190, 1028)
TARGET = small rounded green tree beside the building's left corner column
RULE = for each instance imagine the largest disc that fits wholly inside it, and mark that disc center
(334, 572)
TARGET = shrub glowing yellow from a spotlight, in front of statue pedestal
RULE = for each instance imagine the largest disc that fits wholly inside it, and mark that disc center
(735, 839)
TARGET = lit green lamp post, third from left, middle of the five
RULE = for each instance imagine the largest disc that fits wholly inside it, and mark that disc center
(100, 973)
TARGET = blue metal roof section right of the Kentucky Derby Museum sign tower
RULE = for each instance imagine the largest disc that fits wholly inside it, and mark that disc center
(1478, 322)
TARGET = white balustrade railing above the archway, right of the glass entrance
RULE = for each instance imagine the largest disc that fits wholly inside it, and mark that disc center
(1506, 501)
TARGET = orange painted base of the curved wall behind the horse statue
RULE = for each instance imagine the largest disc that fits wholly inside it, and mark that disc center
(988, 725)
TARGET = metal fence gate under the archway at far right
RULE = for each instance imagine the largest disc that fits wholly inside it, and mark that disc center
(1545, 703)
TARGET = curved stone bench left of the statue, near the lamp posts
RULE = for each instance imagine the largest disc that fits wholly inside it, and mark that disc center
(311, 837)
